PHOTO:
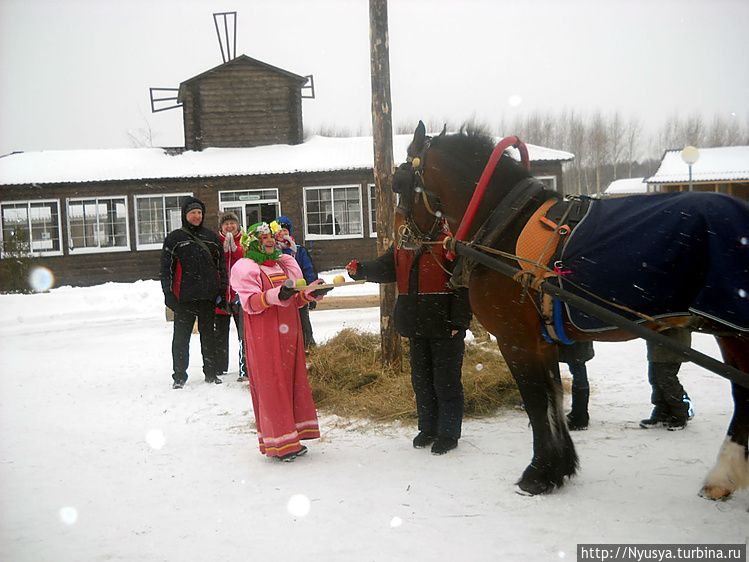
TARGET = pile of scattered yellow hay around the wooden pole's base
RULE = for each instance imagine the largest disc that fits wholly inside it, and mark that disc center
(348, 379)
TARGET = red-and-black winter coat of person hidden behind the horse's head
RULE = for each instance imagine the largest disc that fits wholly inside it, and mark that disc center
(426, 307)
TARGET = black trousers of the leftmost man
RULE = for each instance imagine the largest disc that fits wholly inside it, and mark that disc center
(184, 320)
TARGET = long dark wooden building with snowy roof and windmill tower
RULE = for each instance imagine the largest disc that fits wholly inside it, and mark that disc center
(97, 216)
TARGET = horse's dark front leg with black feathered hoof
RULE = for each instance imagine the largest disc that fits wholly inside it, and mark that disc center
(534, 365)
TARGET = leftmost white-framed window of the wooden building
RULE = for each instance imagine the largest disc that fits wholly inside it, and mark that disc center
(31, 227)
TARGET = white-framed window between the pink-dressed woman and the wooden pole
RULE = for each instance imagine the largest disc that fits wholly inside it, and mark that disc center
(333, 212)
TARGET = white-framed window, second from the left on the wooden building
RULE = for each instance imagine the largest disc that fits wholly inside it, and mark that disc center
(98, 224)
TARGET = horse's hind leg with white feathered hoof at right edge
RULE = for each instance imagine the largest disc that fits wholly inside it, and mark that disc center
(731, 472)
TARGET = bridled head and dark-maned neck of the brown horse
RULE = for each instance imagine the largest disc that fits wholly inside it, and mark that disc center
(437, 181)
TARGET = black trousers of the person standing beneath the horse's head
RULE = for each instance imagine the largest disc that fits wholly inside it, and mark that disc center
(436, 373)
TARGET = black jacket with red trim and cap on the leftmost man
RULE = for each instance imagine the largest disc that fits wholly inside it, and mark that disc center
(191, 271)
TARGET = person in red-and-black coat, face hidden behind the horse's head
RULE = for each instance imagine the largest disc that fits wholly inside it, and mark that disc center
(434, 317)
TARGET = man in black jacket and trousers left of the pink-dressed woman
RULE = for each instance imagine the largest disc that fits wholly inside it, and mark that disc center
(194, 280)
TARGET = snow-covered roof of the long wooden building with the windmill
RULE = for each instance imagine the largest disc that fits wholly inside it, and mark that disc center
(317, 154)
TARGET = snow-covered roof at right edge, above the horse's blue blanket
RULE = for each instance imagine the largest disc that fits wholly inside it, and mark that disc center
(728, 163)
